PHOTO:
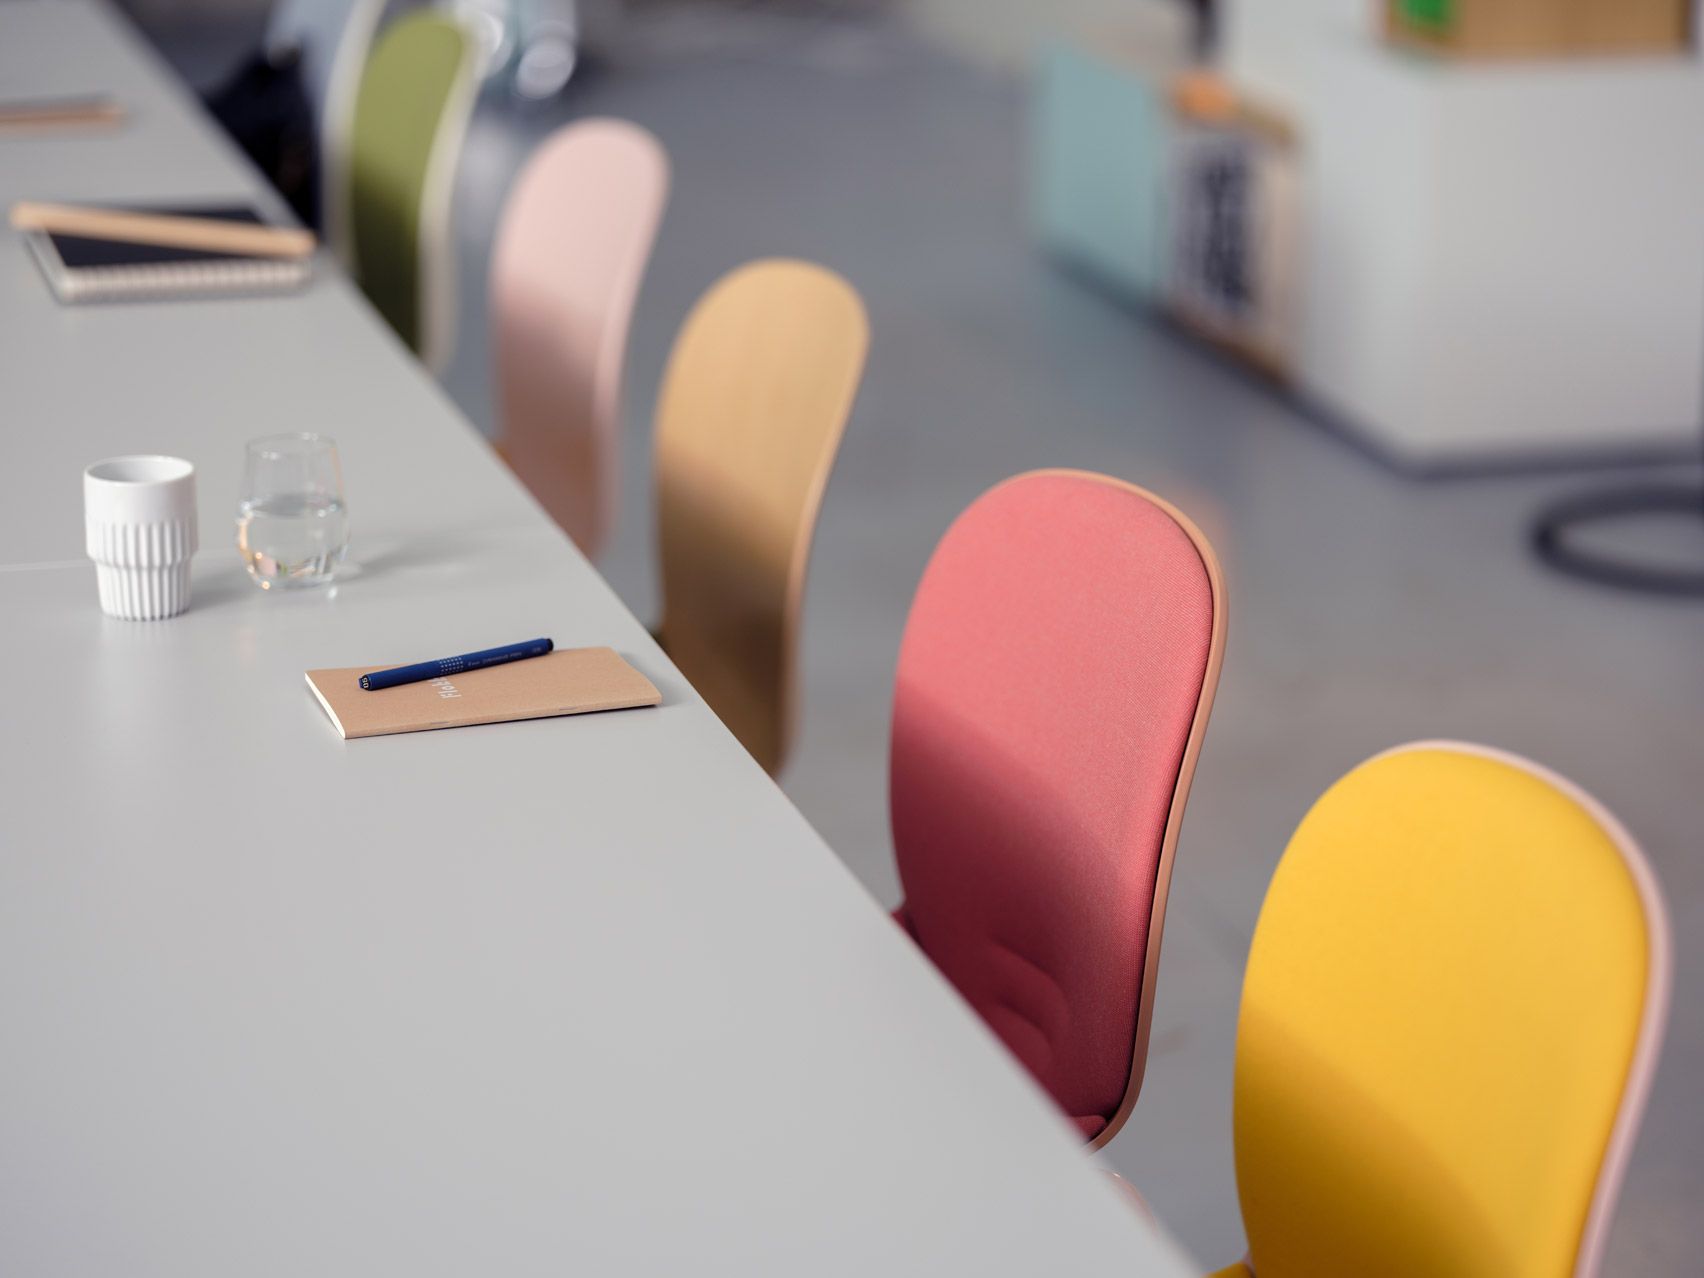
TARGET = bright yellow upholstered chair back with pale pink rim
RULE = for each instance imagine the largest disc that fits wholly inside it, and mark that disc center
(1449, 1023)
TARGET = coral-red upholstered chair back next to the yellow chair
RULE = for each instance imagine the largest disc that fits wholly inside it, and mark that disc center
(1054, 688)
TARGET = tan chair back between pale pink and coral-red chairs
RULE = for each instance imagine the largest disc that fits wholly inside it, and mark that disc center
(757, 393)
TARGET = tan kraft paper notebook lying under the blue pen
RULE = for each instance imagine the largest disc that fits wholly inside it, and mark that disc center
(570, 681)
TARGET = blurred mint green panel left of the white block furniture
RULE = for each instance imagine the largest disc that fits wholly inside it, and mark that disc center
(1098, 164)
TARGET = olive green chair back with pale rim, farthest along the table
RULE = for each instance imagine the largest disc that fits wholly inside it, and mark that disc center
(410, 120)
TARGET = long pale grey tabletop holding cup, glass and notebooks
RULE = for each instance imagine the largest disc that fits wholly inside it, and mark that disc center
(575, 996)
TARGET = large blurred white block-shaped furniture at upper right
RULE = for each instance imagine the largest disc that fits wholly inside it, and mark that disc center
(1500, 262)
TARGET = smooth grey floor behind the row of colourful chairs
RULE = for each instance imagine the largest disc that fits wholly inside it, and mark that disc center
(1366, 609)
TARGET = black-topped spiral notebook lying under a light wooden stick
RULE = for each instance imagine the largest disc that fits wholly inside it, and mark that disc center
(88, 270)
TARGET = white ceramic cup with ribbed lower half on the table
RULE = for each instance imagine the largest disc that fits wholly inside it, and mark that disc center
(141, 529)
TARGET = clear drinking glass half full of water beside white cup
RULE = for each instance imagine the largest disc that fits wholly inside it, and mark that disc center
(292, 526)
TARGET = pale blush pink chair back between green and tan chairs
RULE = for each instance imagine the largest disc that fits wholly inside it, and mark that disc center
(565, 275)
